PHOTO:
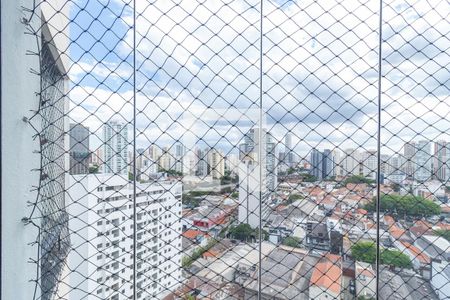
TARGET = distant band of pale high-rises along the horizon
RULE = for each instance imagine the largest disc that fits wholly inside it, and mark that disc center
(431, 156)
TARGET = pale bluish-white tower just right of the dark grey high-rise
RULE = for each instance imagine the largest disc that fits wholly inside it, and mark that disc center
(115, 146)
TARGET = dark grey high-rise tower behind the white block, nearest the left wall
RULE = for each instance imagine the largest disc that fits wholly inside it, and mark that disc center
(79, 149)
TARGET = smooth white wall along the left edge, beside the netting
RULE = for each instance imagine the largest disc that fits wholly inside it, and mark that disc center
(17, 99)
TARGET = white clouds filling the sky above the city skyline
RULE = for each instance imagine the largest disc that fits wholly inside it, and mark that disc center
(319, 59)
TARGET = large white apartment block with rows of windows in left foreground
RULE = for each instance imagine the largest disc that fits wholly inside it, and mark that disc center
(104, 249)
